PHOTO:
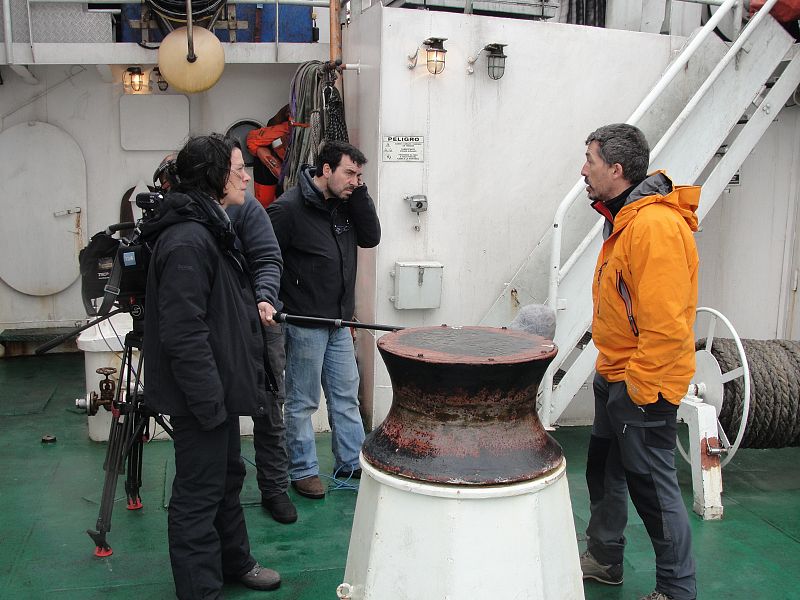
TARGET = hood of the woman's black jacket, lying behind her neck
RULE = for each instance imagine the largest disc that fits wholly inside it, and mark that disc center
(179, 207)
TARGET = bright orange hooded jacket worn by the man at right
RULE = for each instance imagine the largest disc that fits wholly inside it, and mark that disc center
(645, 292)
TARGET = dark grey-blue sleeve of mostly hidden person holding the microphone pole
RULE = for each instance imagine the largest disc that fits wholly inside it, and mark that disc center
(259, 246)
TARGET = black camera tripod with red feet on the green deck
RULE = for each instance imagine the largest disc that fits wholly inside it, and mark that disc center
(130, 429)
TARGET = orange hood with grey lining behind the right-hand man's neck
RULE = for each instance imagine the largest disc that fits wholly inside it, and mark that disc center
(659, 188)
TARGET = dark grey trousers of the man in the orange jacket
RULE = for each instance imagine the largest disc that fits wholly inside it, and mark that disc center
(632, 451)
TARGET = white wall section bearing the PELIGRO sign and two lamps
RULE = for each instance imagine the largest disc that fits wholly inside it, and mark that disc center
(499, 155)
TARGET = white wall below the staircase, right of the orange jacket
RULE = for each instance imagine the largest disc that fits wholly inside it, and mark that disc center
(748, 242)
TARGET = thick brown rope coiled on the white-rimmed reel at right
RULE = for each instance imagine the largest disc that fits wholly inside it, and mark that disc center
(774, 417)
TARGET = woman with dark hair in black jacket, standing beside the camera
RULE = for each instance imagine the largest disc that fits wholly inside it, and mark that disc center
(205, 365)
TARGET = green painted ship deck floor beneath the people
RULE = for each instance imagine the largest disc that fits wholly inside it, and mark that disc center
(49, 496)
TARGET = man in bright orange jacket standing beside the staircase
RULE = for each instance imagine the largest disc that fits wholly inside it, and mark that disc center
(645, 294)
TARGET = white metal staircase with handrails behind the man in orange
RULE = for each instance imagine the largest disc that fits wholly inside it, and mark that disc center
(727, 95)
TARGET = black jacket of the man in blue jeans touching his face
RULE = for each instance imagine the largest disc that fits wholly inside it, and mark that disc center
(318, 240)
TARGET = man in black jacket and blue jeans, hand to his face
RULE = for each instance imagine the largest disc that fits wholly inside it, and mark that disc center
(319, 224)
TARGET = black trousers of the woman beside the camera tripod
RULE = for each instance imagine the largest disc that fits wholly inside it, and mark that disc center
(207, 533)
